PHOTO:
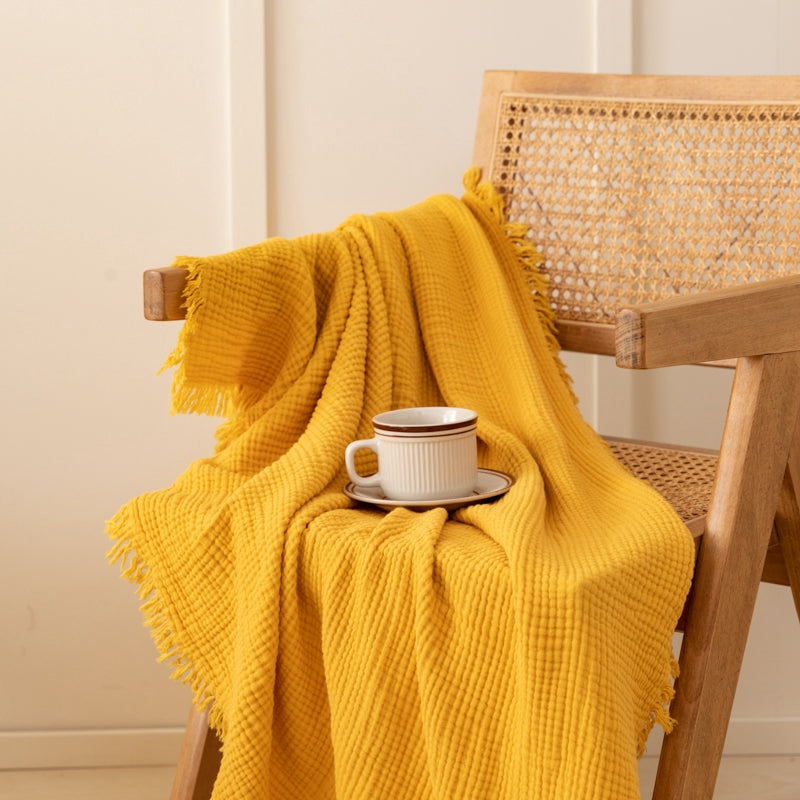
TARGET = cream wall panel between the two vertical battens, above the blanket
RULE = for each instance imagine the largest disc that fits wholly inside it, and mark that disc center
(373, 106)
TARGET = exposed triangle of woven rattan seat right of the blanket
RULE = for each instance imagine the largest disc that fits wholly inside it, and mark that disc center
(682, 476)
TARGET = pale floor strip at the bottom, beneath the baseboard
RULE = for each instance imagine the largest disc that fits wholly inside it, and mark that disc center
(741, 778)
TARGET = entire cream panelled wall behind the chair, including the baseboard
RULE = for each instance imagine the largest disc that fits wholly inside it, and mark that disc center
(135, 131)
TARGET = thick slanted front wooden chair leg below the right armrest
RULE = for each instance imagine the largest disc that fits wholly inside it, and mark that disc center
(753, 457)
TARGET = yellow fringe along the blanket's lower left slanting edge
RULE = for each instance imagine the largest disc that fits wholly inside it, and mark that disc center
(134, 569)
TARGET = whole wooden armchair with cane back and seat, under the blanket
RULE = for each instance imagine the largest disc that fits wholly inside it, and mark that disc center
(668, 211)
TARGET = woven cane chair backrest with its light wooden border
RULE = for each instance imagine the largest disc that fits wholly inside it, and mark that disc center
(645, 193)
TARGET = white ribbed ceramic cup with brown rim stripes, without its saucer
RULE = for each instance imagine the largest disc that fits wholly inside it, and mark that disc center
(424, 453)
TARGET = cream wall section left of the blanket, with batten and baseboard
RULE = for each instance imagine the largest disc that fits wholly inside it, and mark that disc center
(115, 157)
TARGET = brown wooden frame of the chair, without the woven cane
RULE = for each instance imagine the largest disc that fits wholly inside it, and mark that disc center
(751, 531)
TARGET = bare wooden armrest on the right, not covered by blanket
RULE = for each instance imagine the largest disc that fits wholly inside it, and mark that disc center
(750, 320)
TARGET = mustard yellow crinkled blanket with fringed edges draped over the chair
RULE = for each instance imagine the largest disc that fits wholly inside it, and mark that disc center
(519, 648)
